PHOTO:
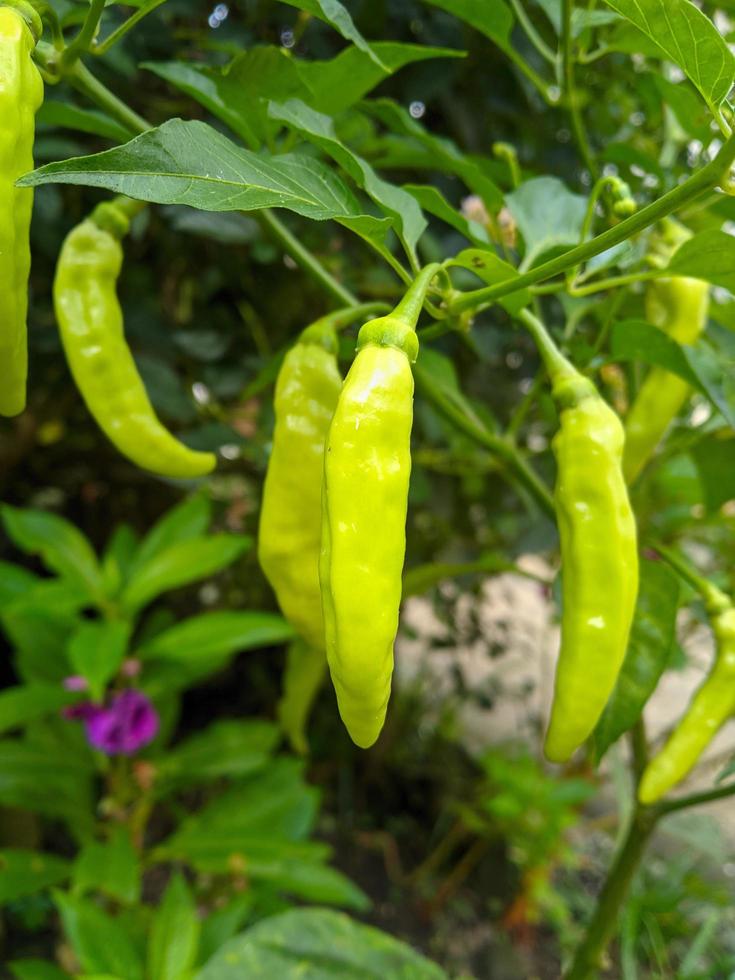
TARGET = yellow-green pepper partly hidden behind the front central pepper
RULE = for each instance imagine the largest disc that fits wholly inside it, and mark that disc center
(289, 540)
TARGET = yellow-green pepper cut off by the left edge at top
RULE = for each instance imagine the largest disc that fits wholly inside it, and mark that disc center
(21, 94)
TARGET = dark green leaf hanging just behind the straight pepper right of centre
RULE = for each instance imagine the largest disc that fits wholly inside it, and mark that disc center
(649, 649)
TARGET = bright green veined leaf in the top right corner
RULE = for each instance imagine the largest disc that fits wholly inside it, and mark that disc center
(689, 39)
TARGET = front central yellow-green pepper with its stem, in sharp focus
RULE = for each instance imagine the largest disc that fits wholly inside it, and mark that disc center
(367, 466)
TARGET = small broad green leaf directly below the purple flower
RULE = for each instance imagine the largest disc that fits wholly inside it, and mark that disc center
(111, 866)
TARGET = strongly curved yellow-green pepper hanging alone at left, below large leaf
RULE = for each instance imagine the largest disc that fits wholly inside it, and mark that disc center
(91, 325)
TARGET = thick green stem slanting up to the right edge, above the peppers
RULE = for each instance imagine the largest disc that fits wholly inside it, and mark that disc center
(705, 179)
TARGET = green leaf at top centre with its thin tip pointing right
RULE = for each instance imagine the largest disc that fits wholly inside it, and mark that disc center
(337, 84)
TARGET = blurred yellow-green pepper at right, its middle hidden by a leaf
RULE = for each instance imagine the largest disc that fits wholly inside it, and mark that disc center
(678, 306)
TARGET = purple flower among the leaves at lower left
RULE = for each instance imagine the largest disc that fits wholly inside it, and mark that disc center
(122, 727)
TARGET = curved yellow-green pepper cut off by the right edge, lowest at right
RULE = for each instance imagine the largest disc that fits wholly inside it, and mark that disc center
(712, 705)
